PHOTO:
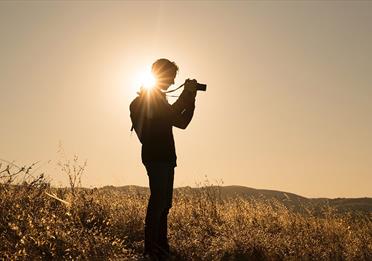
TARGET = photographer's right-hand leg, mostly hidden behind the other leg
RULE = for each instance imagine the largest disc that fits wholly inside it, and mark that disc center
(163, 230)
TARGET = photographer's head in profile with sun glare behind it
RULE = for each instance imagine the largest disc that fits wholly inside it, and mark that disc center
(164, 71)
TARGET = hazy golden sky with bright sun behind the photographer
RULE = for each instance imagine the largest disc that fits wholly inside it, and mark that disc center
(288, 105)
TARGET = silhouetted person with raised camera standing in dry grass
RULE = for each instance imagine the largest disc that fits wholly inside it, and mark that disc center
(153, 119)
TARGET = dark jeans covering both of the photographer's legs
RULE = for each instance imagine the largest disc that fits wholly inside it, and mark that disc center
(161, 176)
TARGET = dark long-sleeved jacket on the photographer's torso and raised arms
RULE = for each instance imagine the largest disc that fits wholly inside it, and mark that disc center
(153, 118)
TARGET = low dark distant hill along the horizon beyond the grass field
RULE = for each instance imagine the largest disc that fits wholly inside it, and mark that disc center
(290, 200)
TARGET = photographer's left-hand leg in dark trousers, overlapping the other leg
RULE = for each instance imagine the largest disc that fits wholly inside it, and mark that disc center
(158, 181)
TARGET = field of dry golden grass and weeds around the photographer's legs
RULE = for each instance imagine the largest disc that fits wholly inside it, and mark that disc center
(39, 221)
